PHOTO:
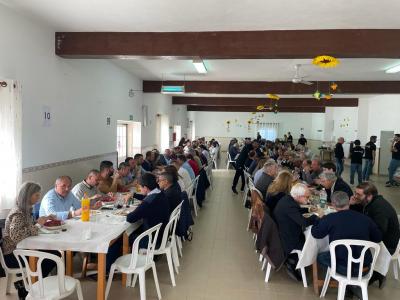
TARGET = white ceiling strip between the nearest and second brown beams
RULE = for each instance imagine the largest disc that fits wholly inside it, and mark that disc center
(260, 69)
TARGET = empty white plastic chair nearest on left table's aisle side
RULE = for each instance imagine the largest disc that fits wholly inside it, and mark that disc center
(137, 263)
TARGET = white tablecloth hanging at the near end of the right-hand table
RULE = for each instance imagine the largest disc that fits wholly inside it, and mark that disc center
(313, 246)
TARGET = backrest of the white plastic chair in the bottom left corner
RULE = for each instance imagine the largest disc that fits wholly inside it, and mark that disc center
(27, 273)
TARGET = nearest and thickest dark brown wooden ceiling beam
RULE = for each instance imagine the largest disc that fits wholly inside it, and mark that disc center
(270, 44)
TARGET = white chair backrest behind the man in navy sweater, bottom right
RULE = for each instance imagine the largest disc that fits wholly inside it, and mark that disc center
(365, 245)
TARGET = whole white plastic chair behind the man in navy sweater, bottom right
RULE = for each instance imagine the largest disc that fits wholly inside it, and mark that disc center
(361, 280)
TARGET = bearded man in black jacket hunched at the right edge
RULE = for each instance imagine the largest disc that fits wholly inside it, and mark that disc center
(383, 214)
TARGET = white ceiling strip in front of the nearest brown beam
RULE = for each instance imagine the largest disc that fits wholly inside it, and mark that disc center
(210, 15)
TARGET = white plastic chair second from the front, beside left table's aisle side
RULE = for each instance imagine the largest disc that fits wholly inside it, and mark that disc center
(168, 247)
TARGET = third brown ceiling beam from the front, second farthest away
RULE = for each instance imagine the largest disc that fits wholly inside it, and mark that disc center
(254, 102)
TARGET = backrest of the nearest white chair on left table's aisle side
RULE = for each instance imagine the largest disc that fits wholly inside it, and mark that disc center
(152, 235)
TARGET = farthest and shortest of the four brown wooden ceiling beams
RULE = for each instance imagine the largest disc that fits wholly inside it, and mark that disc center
(252, 109)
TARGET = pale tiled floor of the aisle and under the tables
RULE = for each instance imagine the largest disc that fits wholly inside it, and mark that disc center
(220, 262)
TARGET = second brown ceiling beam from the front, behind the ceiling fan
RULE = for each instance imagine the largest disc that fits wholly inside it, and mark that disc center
(277, 87)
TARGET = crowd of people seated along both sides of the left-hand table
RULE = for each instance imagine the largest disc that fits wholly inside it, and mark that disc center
(160, 181)
